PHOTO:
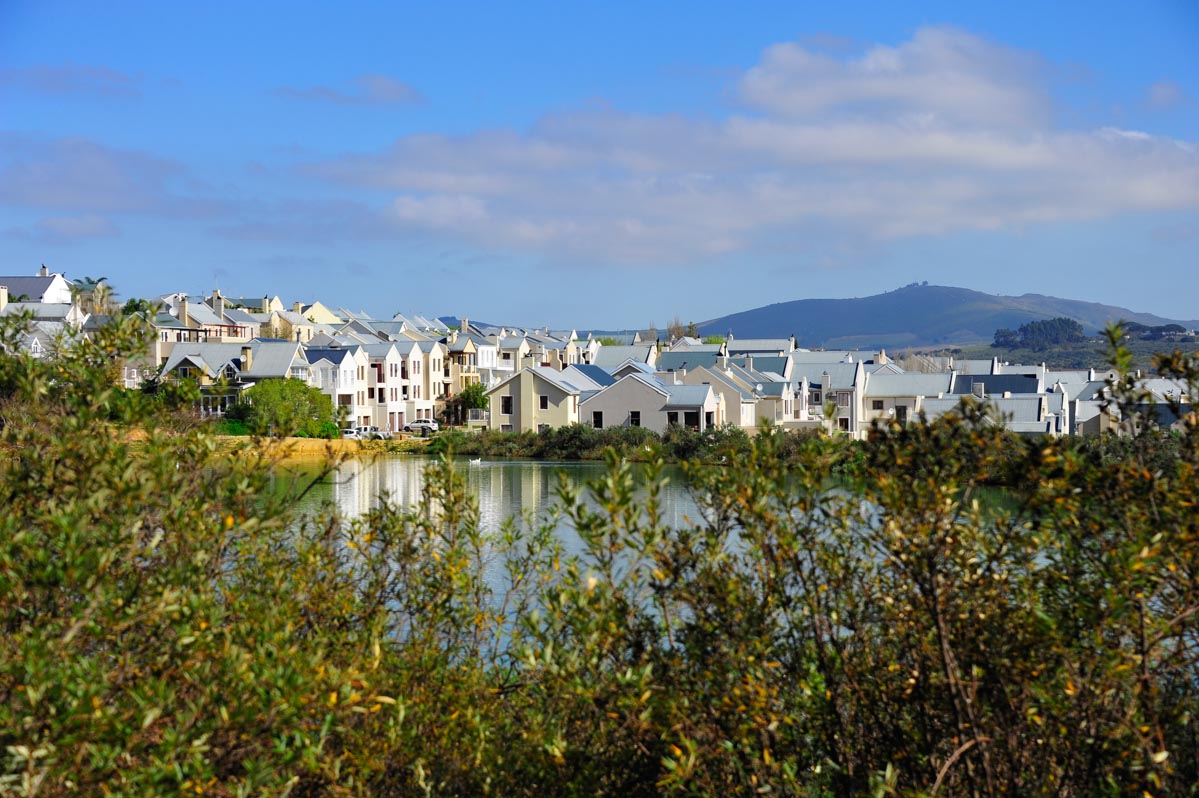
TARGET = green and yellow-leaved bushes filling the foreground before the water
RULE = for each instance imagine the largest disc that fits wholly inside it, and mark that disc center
(168, 628)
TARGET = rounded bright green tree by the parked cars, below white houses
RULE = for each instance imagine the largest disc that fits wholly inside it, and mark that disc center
(284, 408)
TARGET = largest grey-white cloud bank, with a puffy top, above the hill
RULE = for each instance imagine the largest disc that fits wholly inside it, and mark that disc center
(943, 134)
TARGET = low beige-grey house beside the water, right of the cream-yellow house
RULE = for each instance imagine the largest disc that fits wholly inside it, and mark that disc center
(641, 400)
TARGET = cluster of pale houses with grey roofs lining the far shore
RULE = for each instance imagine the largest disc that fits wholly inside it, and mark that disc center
(391, 372)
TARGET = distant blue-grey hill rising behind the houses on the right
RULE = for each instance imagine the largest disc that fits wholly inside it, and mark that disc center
(915, 316)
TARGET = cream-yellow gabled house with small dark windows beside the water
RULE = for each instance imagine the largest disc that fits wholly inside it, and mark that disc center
(534, 400)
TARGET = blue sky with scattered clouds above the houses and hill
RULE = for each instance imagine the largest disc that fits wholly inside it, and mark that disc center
(604, 165)
